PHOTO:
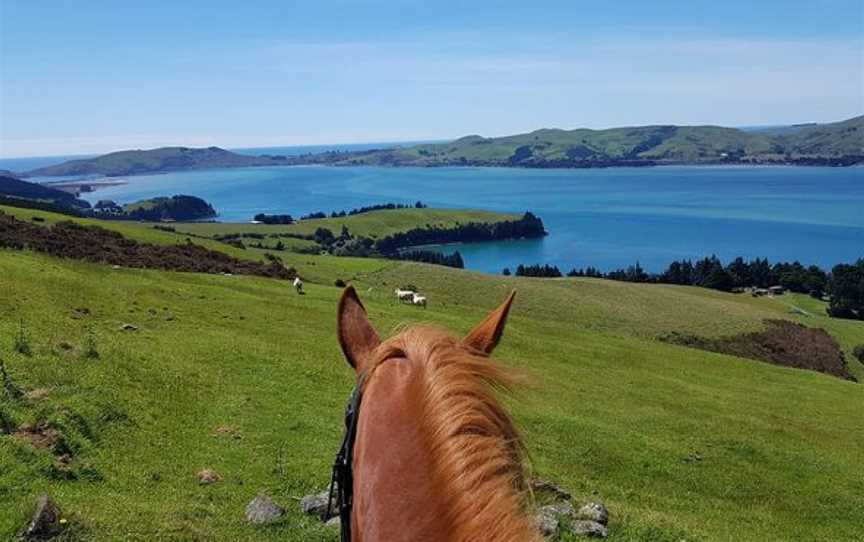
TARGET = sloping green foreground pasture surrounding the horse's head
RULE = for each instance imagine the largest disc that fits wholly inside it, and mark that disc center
(680, 444)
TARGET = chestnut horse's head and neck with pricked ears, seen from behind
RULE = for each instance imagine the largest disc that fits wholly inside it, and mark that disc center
(436, 457)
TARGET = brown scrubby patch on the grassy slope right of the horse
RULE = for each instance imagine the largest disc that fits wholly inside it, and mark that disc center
(781, 343)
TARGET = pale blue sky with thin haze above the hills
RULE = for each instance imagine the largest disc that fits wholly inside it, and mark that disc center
(98, 75)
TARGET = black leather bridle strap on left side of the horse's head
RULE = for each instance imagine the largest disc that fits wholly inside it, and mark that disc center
(342, 481)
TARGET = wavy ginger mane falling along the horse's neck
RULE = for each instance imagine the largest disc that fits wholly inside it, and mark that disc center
(475, 450)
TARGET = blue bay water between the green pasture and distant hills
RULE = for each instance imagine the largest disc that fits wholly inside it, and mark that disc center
(606, 218)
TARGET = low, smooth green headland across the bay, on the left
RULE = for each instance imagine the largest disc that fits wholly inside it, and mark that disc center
(164, 159)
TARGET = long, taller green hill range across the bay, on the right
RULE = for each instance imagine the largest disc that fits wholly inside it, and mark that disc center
(840, 143)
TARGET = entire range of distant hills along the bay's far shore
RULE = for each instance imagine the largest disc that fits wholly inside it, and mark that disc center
(839, 143)
